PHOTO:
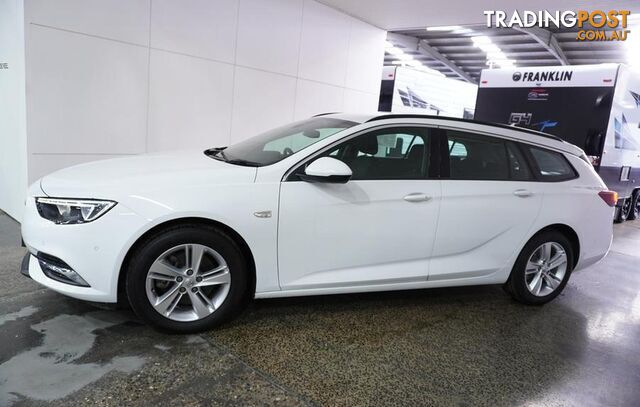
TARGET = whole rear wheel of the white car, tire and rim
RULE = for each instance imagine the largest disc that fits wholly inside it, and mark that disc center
(542, 269)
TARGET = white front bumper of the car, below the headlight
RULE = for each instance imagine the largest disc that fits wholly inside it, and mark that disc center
(95, 251)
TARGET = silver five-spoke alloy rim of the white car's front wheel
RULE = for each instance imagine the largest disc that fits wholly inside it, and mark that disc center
(188, 282)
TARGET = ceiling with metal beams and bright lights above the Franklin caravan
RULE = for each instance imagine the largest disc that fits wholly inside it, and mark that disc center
(454, 54)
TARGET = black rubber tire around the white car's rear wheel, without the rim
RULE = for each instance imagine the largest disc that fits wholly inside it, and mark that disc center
(516, 285)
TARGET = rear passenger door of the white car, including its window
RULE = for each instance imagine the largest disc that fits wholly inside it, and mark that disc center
(490, 200)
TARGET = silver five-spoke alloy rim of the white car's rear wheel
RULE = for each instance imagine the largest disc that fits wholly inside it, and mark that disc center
(545, 269)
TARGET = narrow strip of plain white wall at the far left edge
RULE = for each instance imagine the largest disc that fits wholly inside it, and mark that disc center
(13, 150)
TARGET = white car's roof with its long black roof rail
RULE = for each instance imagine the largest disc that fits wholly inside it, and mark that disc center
(499, 129)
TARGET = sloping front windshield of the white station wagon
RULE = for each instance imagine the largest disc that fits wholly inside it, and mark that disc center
(274, 145)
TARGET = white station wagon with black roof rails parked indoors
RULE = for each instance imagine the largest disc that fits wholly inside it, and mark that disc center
(337, 203)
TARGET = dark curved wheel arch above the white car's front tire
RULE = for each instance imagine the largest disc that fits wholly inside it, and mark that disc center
(186, 221)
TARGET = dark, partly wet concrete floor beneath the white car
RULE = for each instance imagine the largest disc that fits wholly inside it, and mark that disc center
(459, 346)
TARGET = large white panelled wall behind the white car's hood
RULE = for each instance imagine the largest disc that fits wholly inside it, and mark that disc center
(109, 78)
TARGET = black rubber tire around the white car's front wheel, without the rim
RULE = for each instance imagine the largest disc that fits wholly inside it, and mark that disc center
(141, 261)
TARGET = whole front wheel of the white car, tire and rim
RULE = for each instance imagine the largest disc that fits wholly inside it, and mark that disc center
(187, 279)
